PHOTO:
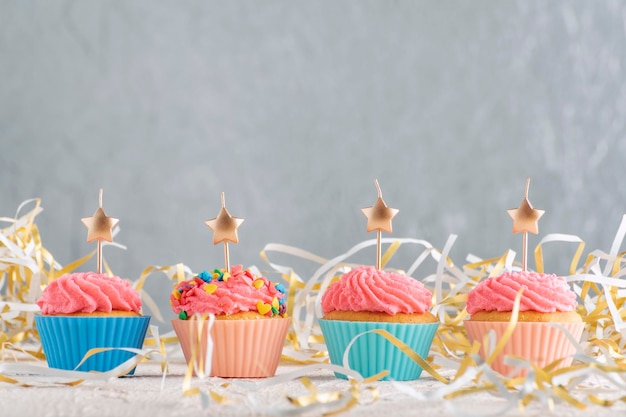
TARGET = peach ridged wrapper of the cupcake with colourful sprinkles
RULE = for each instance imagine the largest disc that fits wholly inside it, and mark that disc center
(241, 348)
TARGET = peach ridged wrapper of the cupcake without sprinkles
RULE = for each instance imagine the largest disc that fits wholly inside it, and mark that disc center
(539, 343)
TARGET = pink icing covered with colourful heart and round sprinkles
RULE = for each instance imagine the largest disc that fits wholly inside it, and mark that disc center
(235, 294)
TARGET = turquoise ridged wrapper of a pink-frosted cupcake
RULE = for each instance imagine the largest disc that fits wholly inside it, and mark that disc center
(372, 353)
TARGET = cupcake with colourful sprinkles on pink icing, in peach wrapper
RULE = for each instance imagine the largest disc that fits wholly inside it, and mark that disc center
(250, 327)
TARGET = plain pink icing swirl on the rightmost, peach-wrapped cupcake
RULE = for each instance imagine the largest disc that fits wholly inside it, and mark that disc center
(545, 293)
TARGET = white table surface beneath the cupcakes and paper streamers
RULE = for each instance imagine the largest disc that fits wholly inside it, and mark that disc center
(145, 394)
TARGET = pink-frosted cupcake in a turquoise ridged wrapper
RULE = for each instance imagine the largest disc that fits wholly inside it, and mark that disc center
(365, 299)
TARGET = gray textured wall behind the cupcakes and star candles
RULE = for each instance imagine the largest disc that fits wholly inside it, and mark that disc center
(293, 108)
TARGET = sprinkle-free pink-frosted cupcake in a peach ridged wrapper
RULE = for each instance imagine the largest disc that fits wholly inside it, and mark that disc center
(546, 298)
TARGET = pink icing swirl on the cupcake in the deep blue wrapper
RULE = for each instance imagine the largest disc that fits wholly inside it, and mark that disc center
(86, 292)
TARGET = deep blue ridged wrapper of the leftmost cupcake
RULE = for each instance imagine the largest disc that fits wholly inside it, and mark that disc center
(66, 340)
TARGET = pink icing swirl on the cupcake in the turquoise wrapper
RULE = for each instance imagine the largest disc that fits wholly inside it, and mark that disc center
(367, 289)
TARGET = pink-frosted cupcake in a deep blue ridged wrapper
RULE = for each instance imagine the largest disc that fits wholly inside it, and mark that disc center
(82, 311)
